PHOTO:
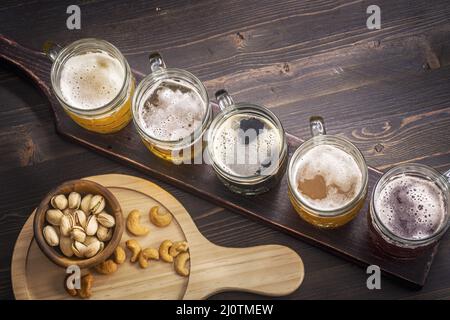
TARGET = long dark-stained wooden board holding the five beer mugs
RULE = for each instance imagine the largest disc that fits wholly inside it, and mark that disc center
(273, 208)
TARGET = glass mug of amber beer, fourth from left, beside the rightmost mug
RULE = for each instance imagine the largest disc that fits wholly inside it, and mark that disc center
(327, 178)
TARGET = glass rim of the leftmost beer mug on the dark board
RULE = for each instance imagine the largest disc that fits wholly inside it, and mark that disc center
(59, 58)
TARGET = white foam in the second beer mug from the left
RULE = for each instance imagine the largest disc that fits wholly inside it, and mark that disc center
(177, 114)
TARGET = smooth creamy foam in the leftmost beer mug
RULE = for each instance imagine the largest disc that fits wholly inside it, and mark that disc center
(91, 80)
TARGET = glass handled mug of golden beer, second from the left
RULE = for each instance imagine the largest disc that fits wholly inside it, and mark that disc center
(171, 112)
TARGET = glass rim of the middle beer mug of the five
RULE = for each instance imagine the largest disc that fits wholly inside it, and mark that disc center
(248, 108)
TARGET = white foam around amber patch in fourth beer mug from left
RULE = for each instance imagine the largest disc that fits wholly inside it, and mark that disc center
(339, 170)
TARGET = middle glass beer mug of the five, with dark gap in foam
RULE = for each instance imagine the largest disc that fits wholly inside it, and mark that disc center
(246, 146)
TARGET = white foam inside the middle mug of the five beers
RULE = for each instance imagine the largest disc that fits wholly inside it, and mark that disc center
(242, 159)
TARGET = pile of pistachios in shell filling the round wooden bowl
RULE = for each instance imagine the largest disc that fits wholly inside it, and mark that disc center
(78, 225)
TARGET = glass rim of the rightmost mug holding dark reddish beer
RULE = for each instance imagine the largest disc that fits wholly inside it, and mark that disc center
(423, 171)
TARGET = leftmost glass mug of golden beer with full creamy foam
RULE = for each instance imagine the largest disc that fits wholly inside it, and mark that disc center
(93, 83)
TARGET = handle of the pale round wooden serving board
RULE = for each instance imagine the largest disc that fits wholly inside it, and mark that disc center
(271, 270)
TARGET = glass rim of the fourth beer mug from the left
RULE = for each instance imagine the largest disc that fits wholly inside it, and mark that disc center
(325, 139)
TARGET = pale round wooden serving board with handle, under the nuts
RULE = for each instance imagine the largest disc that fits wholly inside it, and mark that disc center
(271, 270)
